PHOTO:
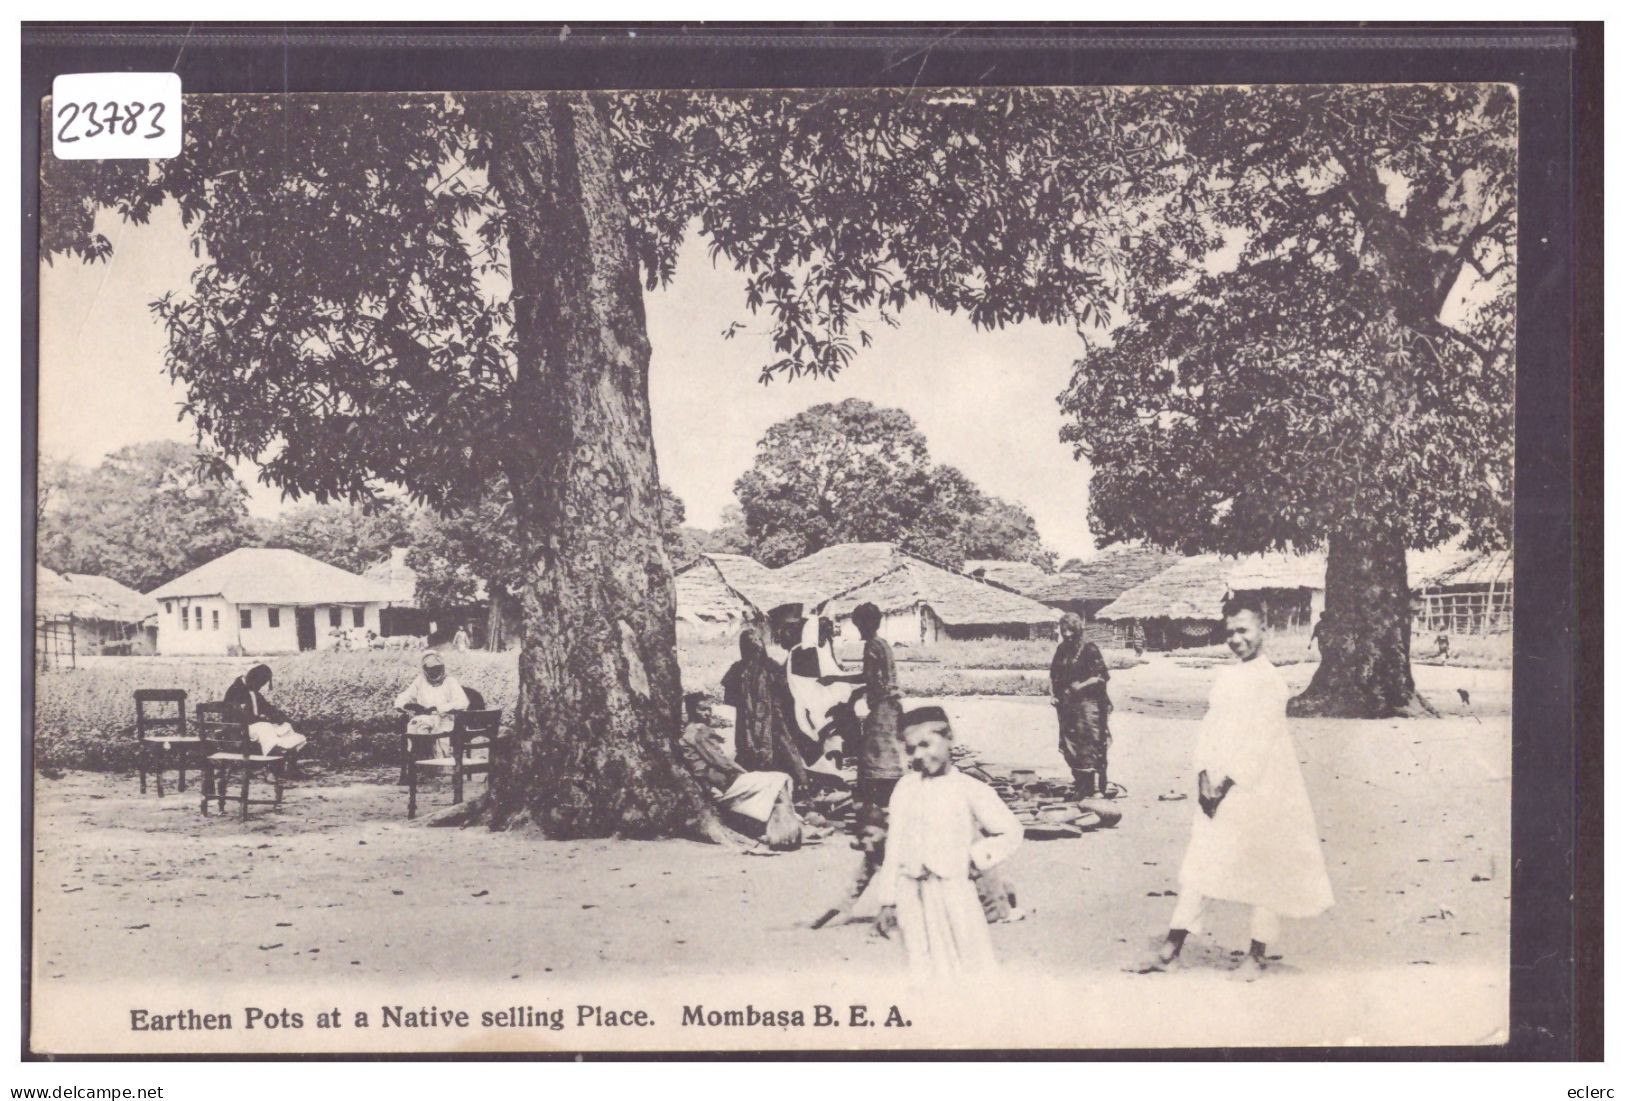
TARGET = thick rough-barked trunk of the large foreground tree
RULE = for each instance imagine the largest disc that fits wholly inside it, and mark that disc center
(600, 696)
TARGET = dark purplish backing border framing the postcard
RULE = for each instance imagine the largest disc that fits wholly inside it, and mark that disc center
(1558, 707)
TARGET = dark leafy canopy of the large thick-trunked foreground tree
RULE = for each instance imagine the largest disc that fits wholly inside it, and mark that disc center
(350, 321)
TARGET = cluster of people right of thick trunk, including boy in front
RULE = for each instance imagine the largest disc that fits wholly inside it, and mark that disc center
(929, 834)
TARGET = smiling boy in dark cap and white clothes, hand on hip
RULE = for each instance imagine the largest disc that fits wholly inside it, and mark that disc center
(943, 826)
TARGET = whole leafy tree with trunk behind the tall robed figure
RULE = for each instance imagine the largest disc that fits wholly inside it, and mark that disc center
(1317, 347)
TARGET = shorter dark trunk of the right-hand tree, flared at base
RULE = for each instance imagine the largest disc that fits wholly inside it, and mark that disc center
(1366, 639)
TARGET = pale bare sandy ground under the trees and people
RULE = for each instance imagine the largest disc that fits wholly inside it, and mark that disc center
(337, 889)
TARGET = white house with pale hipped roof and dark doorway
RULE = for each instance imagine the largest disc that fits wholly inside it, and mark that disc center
(264, 602)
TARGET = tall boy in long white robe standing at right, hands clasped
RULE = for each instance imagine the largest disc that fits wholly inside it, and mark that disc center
(1254, 835)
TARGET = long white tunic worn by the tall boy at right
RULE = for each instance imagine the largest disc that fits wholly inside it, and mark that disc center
(1262, 847)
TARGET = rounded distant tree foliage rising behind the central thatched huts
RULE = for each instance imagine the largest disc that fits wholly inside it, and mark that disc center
(862, 473)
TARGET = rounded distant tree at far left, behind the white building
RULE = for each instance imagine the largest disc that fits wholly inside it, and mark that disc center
(144, 516)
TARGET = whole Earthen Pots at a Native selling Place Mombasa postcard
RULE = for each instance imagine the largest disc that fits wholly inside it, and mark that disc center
(778, 571)
